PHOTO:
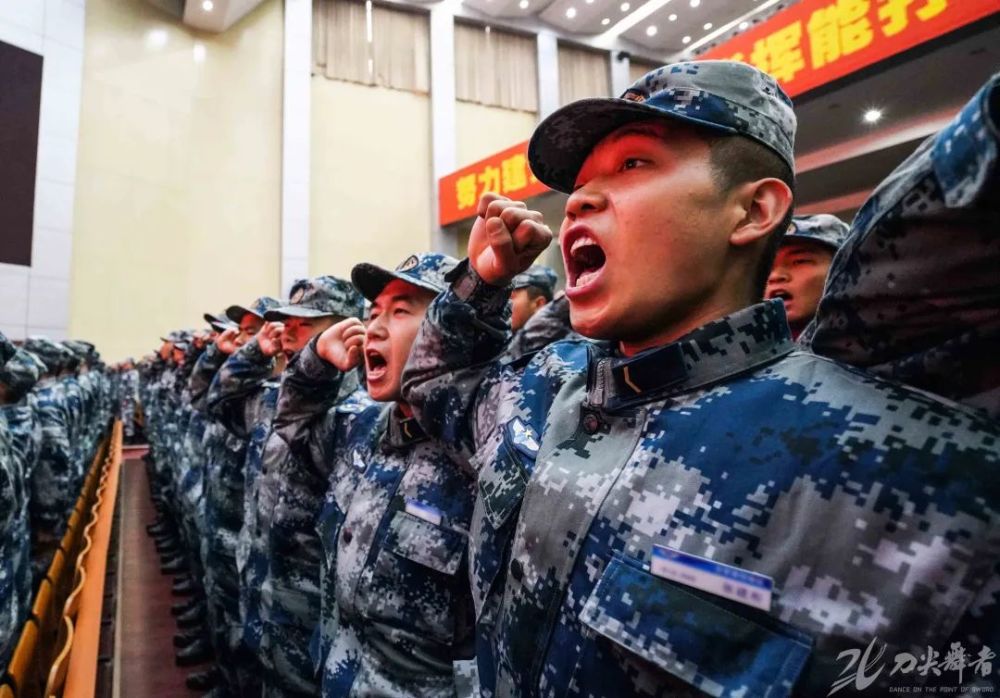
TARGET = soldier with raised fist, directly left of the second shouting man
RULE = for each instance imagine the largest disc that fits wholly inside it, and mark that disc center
(243, 398)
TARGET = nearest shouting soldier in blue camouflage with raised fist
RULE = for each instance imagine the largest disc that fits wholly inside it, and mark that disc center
(692, 504)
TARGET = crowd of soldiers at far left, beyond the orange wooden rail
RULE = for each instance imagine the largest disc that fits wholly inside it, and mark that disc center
(56, 400)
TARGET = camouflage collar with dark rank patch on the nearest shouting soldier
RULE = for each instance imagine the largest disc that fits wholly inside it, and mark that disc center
(734, 344)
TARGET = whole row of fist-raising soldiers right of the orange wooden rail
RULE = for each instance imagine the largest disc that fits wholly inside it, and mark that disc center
(424, 482)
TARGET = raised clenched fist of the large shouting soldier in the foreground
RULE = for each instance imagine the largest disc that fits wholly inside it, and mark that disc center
(505, 239)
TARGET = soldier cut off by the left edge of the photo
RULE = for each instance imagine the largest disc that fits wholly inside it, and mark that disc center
(18, 405)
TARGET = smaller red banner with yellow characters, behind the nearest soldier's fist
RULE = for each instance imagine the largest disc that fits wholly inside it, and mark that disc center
(506, 173)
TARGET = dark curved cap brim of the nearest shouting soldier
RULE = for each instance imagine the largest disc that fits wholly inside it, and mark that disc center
(561, 143)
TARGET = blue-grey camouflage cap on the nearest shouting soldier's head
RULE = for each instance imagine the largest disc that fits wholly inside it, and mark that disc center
(725, 96)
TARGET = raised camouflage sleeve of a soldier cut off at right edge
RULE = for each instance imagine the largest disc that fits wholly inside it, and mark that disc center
(914, 294)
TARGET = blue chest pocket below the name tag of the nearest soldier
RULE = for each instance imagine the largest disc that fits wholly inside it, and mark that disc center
(722, 650)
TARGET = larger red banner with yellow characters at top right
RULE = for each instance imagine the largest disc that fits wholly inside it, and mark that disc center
(817, 41)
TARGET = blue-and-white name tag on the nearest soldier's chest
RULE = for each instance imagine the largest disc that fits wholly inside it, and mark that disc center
(716, 578)
